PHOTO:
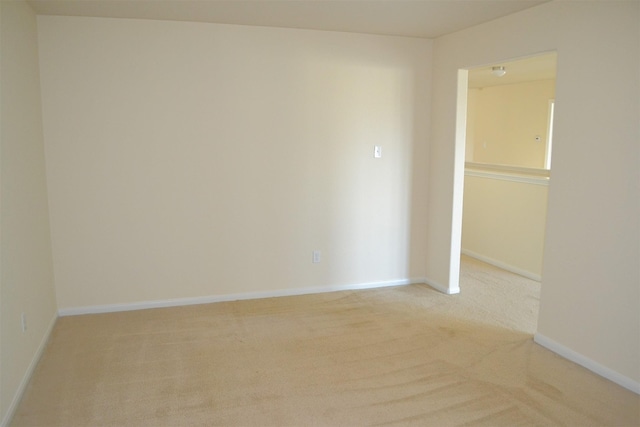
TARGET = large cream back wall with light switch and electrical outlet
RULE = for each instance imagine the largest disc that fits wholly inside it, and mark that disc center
(190, 159)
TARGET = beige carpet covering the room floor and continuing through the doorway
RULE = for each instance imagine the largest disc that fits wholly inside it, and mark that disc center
(393, 356)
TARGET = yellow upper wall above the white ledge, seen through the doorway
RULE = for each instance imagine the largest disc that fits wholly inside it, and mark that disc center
(505, 122)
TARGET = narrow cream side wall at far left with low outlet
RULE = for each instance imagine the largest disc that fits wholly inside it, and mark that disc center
(26, 272)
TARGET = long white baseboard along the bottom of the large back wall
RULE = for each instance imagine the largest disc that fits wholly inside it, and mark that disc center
(111, 308)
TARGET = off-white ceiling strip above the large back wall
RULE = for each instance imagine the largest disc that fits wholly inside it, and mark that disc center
(416, 18)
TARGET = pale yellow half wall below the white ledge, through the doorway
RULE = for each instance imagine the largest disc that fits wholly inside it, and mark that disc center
(503, 222)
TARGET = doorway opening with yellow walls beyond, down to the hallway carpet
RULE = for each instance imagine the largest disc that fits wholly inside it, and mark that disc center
(507, 123)
